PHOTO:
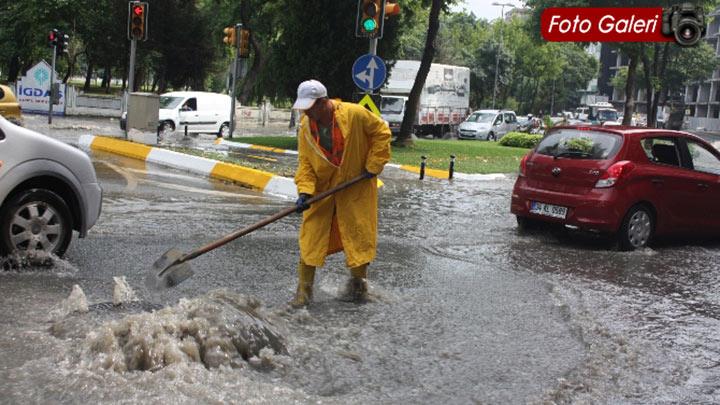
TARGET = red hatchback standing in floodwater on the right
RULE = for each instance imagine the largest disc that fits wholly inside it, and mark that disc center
(635, 183)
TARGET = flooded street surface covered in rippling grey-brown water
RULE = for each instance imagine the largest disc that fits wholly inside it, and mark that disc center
(465, 309)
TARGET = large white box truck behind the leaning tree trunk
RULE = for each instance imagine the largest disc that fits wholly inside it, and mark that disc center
(444, 101)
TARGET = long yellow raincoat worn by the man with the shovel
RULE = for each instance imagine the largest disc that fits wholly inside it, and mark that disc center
(367, 146)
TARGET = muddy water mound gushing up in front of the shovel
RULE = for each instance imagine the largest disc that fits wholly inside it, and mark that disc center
(218, 329)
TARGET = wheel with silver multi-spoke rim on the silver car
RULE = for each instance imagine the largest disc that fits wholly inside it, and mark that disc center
(35, 220)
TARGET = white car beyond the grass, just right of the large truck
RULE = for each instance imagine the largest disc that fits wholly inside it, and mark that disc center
(489, 125)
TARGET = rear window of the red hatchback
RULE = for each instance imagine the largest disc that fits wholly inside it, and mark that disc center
(572, 143)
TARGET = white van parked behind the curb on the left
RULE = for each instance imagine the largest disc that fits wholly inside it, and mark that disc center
(201, 112)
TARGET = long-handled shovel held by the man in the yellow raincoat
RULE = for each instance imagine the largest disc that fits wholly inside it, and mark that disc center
(172, 268)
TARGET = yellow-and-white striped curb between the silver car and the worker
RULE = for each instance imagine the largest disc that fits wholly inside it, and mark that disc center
(266, 182)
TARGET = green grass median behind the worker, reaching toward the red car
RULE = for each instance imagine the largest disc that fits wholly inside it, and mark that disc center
(470, 156)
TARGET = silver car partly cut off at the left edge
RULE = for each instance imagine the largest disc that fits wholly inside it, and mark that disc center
(47, 190)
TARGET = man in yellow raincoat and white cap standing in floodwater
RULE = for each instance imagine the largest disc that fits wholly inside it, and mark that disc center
(337, 142)
